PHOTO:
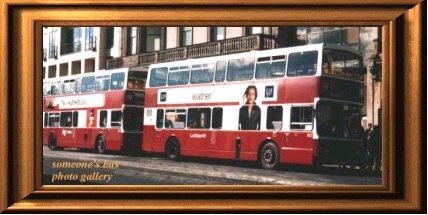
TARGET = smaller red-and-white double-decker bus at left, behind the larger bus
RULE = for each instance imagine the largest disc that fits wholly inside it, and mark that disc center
(101, 110)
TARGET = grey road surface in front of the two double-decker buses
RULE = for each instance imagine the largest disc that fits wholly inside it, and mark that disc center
(155, 169)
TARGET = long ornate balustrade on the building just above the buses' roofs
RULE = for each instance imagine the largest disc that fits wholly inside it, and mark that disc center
(228, 46)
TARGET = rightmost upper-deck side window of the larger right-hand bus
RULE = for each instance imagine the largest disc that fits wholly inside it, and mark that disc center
(302, 63)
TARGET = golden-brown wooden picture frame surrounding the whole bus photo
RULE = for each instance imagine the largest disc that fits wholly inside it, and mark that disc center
(404, 76)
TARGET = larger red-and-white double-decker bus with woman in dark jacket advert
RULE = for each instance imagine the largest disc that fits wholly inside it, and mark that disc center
(310, 101)
